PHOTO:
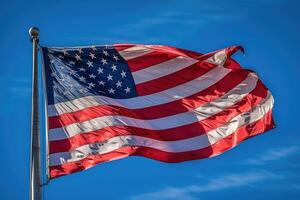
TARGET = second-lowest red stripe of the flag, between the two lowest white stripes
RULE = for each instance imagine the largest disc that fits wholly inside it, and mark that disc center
(190, 130)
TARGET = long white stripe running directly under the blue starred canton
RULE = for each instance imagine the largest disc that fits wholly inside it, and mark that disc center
(166, 96)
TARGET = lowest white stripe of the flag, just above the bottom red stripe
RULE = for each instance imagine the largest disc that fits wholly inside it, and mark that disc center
(190, 144)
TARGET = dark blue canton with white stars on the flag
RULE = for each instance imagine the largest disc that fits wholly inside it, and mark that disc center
(72, 73)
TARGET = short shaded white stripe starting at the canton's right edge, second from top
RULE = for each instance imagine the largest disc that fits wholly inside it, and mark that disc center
(162, 69)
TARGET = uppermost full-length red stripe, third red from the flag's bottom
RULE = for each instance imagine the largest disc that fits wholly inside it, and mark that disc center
(182, 105)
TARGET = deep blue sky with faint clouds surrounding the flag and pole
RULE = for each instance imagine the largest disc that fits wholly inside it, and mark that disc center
(264, 167)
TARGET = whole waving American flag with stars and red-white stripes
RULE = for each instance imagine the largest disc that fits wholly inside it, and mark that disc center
(161, 102)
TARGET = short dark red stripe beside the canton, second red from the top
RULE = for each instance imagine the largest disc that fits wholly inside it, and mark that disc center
(148, 60)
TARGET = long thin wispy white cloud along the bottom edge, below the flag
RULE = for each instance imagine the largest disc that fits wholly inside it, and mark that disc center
(215, 184)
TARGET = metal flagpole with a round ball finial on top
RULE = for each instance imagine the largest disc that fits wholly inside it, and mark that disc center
(35, 165)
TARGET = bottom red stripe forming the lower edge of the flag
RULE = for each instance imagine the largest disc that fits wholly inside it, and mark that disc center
(244, 132)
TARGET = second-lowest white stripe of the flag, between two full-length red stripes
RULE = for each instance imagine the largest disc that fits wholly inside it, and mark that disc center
(198, 114)
